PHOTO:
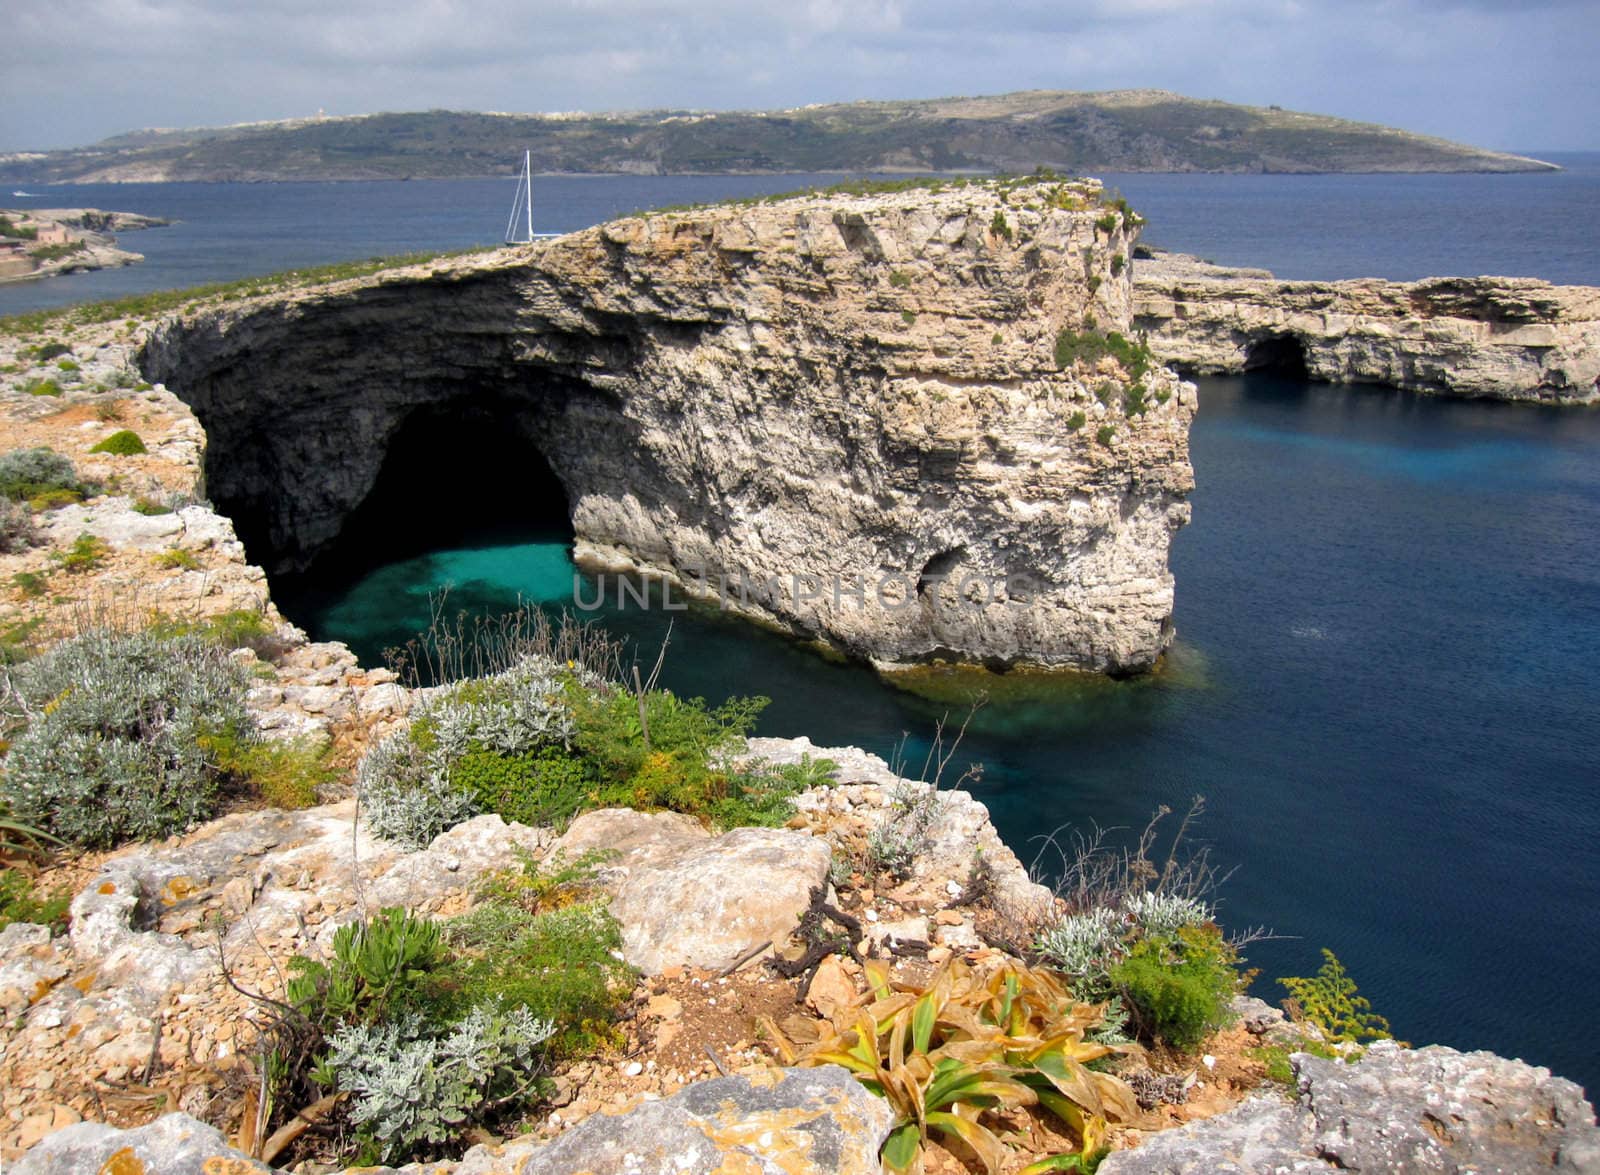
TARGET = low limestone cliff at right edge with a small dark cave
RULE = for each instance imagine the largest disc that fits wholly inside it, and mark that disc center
(1511, 339)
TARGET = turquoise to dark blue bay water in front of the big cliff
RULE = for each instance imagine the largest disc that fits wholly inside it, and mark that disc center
(1385, 686)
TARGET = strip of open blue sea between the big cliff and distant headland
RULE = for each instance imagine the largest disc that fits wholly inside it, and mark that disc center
(1540, 225)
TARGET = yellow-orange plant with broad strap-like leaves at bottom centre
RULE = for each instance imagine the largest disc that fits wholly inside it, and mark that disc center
(969, 1046)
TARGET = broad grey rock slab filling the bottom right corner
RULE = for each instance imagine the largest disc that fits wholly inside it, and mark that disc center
(1398, 1110)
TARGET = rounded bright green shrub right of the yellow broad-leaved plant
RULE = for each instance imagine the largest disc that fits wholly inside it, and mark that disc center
(1178, 989)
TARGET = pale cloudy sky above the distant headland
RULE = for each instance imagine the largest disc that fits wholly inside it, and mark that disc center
(1510, 74)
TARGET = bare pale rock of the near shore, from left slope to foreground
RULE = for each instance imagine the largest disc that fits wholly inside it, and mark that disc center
(124, 1038)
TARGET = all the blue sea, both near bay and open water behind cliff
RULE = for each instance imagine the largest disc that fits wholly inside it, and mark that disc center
(1388, 606)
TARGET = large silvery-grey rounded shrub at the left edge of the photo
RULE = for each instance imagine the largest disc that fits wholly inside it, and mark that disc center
(113, 731)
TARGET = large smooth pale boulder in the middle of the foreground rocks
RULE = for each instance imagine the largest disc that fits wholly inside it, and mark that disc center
(687, 899)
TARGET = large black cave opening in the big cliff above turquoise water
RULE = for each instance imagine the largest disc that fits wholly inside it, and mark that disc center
(455, 475)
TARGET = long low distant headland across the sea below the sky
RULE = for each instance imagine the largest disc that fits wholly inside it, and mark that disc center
(1122, 130)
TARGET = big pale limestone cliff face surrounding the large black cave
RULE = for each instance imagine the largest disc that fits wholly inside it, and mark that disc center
(834, 414)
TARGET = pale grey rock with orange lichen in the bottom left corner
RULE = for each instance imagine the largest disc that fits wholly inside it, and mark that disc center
(170, 1145)
